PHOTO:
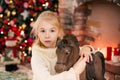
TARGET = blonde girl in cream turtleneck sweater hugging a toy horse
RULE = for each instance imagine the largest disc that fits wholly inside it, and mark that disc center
(47, 30)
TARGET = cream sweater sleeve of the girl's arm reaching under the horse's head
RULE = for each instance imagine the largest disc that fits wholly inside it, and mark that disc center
(41, 71)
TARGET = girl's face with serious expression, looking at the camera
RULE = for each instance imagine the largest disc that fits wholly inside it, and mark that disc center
(48, 34)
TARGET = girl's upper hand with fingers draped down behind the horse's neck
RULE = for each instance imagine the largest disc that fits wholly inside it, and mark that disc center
(86, 52)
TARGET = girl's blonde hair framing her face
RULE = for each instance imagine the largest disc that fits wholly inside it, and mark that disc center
(50, 17)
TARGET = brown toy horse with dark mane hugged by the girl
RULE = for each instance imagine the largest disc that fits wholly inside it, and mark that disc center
(68, 53)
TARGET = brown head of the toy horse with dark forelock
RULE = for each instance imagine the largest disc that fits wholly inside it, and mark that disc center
(67, 53)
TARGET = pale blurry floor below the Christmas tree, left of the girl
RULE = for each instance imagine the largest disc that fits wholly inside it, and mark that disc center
(23, 72)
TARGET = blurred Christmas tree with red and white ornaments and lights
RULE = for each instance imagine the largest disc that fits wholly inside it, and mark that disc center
(19, 16)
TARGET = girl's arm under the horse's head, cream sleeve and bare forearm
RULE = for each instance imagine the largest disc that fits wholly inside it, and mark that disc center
(40, 67)
